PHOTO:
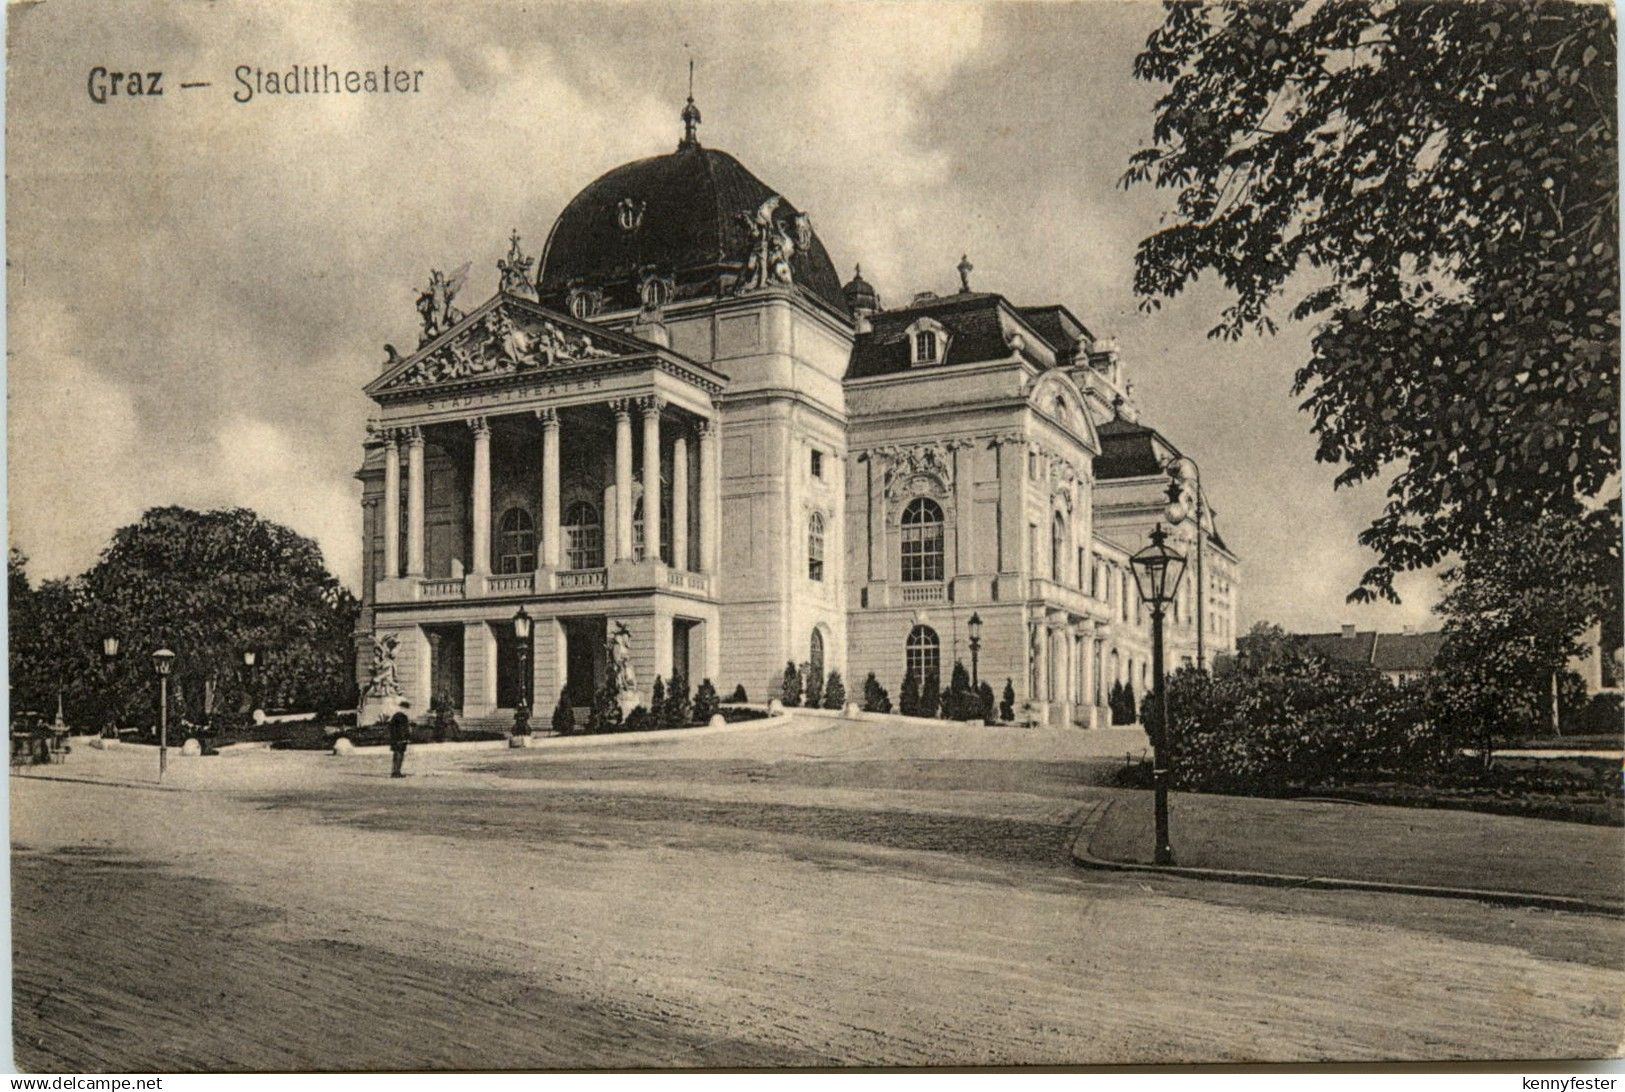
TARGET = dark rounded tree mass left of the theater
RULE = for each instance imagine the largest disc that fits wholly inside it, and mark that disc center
(206, 586)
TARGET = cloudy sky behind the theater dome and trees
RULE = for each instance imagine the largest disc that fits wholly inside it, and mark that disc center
(199, 288)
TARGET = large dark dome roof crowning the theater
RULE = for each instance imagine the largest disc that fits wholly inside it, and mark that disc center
(691, 217)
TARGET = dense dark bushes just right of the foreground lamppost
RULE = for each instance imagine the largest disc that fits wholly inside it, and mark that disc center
(1302, 722)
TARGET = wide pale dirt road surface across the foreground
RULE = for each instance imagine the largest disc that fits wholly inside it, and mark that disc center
(807, 895)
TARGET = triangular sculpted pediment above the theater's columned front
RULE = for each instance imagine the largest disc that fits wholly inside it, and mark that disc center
(505, 337)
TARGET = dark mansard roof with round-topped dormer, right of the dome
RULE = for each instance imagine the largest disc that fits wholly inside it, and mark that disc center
(976, 323)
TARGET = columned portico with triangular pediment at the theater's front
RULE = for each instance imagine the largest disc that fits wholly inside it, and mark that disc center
(570, 470)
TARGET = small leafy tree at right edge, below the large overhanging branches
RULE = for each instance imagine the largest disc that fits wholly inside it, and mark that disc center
(1515, 612)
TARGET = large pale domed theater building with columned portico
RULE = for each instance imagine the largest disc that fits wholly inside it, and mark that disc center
(683, 423)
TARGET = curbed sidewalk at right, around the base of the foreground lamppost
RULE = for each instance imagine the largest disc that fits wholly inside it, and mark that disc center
(1452, 854)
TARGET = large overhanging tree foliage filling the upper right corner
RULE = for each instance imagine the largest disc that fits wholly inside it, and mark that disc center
(1437, 186)
